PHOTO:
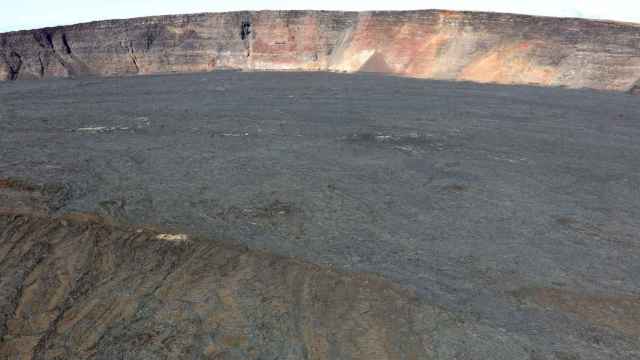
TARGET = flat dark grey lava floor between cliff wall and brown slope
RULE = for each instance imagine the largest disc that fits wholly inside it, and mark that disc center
(518, 207)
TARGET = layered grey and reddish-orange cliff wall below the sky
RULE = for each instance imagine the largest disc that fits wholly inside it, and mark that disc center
(482, 47)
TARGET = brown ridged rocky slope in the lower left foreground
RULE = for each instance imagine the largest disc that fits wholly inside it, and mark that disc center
(78, 287)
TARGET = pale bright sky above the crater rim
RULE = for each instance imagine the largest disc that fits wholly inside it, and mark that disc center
(29, 14)
